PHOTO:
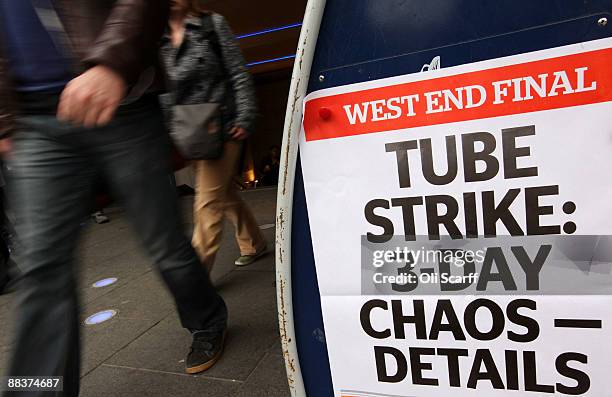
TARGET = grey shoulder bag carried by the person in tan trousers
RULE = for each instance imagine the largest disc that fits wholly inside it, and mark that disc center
(197, 130)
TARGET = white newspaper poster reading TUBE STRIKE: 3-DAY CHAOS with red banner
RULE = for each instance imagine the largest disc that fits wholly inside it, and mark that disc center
(461, 222)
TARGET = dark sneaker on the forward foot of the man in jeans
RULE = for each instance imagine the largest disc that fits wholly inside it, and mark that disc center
(206, 349)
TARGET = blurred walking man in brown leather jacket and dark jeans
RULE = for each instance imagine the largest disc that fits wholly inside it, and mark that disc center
(78, 95)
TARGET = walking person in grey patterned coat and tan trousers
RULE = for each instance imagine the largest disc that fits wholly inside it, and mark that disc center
(205, 65)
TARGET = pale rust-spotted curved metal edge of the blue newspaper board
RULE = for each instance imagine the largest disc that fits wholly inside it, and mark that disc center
(292, 129)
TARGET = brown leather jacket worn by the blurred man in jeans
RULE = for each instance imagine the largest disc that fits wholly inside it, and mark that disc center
(120, 34)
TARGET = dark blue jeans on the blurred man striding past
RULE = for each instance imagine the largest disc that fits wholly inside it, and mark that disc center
(53, 169)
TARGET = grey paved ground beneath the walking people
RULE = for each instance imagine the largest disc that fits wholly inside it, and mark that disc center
(140, 351)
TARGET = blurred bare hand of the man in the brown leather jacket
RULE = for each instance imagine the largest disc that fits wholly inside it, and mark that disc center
(92, 98)
